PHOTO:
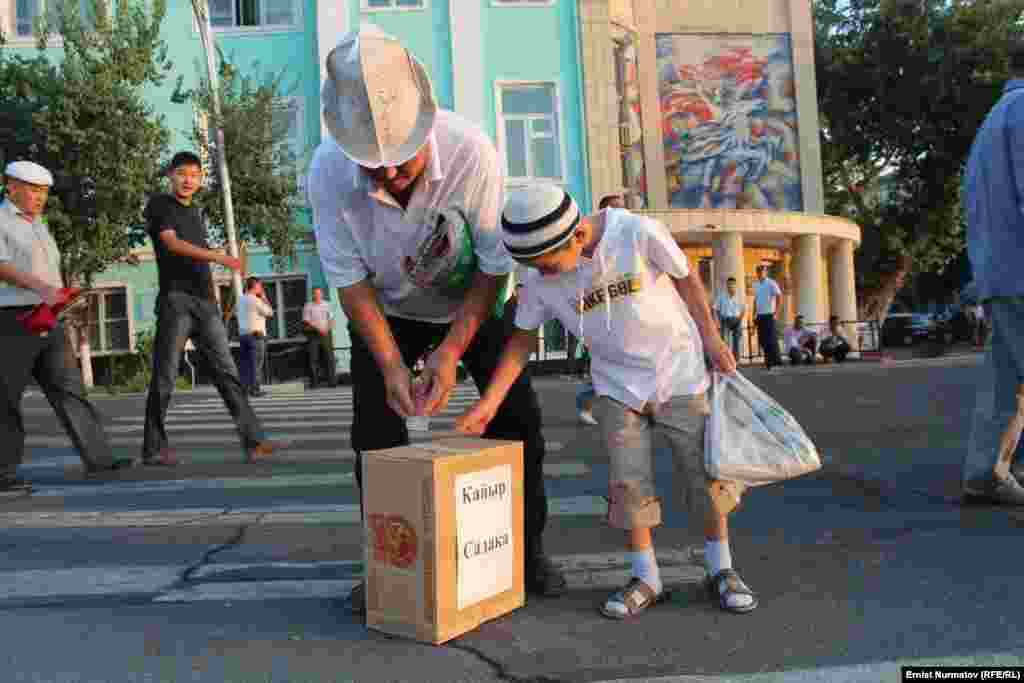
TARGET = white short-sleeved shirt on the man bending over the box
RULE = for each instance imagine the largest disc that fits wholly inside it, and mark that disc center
(364, 234)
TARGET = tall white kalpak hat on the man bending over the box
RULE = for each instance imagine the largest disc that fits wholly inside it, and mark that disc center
(378, 102)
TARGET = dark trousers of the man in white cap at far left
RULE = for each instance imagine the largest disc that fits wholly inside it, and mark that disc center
(51, 362)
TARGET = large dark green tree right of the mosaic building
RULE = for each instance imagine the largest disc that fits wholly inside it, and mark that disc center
(904, 86)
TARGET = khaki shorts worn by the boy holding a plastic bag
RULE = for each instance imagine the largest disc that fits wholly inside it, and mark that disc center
(629, 437)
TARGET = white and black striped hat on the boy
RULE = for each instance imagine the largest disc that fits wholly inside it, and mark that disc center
(538, 220)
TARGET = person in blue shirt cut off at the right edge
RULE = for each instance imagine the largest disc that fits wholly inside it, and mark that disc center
(994, 469)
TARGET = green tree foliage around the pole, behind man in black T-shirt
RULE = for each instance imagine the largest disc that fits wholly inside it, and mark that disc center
(264, 167)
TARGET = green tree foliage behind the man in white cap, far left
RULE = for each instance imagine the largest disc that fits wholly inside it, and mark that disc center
(84, 117)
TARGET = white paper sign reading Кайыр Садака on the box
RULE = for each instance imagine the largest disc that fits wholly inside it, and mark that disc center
(484, 515)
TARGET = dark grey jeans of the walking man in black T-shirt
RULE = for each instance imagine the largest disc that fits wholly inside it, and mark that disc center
(181, 317)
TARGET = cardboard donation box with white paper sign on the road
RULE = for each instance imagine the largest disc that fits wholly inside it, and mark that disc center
(444, 525)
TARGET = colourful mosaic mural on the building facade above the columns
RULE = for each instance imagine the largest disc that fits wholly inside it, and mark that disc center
(730, 122)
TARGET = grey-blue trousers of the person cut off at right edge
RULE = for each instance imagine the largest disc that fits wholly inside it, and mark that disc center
(996, 401)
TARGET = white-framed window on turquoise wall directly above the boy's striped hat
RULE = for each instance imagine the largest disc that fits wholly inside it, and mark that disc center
(529, 133)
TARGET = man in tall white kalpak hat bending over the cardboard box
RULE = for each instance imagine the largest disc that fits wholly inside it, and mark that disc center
(406, 202)
